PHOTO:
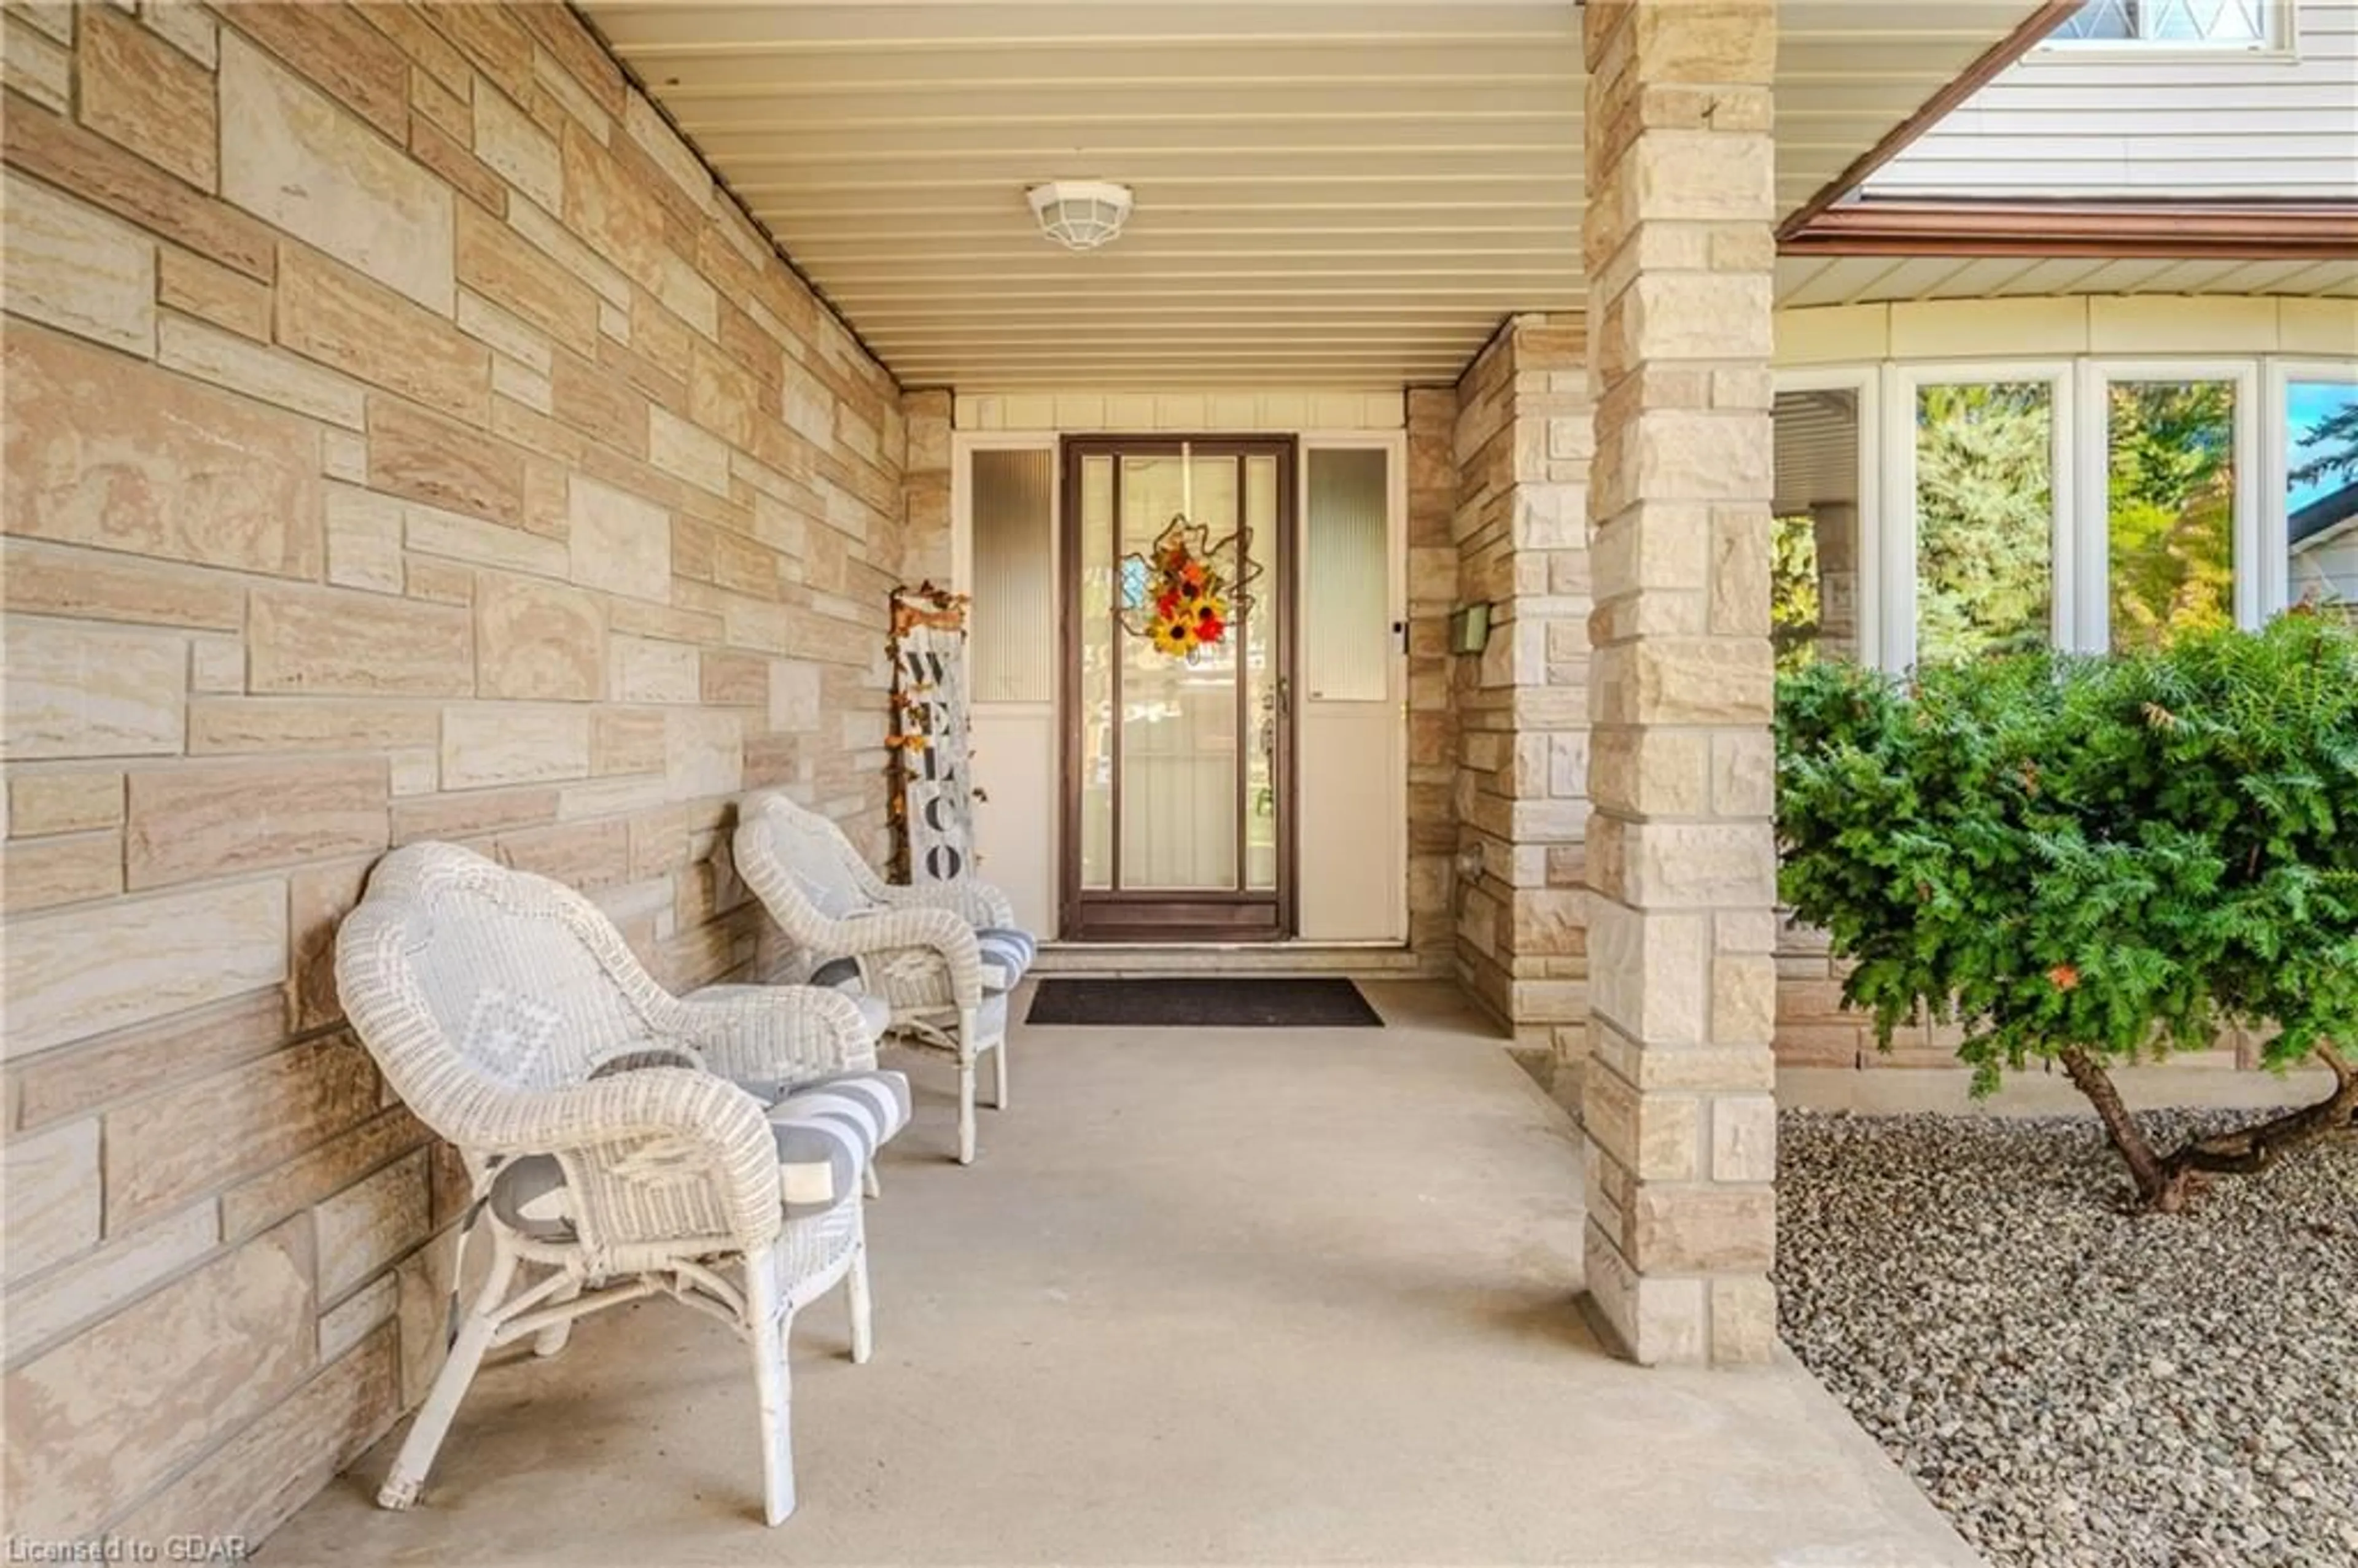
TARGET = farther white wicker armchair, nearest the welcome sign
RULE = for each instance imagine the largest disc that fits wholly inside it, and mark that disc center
(942, 956)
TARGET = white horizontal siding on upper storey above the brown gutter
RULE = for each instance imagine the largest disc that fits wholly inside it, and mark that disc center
(2156, 124)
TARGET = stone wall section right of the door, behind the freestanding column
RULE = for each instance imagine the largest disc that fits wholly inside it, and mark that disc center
(1522, 706)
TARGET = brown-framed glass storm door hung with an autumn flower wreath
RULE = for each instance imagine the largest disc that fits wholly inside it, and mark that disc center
(1178, 772)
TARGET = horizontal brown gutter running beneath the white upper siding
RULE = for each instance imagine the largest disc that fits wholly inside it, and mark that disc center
(2255, 232)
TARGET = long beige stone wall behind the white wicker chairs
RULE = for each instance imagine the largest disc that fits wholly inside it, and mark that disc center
(404, 440)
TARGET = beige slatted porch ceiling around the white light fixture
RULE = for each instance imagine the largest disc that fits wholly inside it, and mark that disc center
(1329, 192)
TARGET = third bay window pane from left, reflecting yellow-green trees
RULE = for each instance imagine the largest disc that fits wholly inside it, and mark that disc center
(2171, 510)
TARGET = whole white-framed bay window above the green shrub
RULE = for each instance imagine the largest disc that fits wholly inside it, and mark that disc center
(2079, 503)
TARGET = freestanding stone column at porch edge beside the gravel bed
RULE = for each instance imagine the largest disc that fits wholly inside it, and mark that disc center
(1680, 1083)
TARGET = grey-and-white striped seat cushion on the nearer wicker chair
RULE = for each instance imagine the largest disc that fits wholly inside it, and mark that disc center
(829, 1133)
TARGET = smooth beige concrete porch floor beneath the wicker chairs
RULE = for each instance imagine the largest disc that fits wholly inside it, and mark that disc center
(1208, 1298)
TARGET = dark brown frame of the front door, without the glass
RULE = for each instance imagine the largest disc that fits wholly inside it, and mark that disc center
(1232, 916)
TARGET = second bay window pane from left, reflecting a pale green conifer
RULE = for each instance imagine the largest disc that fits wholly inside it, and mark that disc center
(1984, 520)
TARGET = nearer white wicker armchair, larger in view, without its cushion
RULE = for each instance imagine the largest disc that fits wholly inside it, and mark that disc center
(492, 1001)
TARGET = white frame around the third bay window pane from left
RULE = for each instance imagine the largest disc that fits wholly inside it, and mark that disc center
(2095, 555)
